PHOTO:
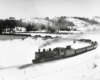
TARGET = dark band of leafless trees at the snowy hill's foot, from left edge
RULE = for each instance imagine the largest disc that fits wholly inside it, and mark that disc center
(60, 24)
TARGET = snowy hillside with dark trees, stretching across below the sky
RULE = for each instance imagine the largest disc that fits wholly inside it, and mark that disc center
(62, 23)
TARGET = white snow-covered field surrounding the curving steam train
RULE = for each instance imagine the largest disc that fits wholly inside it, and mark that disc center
(16, 56)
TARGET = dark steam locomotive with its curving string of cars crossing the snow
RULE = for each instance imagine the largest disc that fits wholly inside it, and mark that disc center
(60, 52)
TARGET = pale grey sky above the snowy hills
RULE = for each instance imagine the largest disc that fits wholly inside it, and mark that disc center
(49, 8)
